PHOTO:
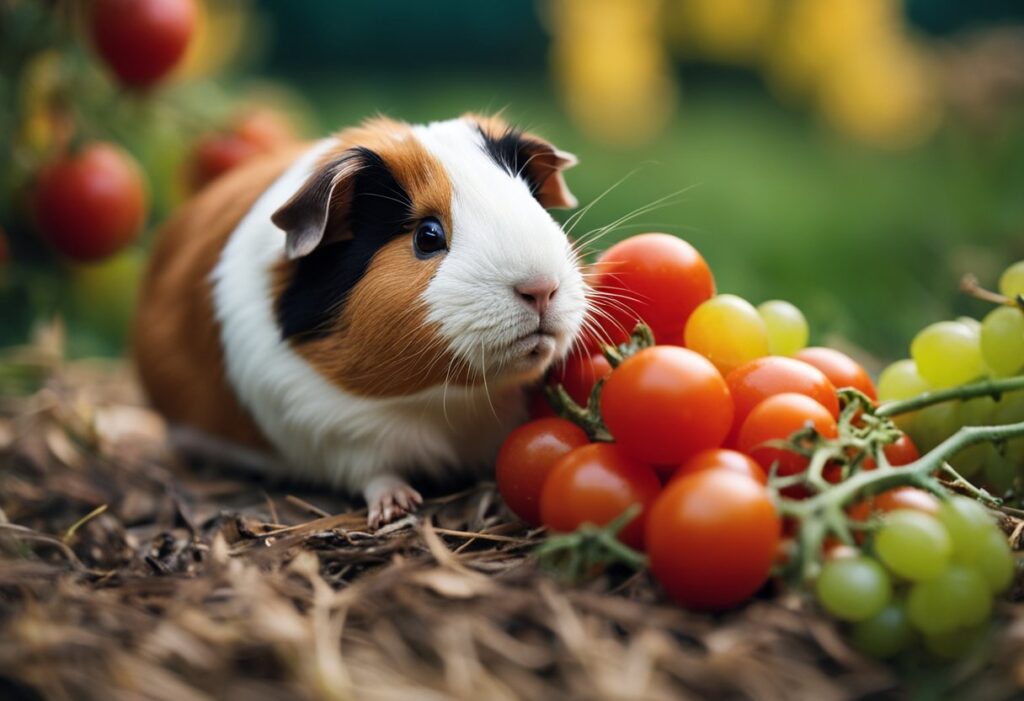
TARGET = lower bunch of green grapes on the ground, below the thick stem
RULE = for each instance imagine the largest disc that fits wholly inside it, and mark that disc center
(924, 578)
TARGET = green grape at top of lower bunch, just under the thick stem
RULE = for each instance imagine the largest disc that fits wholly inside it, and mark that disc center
(914, 545)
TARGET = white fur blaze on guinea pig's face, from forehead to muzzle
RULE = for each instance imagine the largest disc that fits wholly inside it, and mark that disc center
(501, 237)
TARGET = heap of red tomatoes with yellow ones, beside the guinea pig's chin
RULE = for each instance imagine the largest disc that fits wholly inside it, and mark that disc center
(692, 426)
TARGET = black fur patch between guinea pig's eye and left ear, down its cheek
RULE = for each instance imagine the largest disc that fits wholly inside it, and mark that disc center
(379, 211)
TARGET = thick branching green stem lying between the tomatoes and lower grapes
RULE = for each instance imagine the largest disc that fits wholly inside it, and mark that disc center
(825, 512)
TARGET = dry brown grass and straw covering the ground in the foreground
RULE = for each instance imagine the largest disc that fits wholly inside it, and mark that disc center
(193, 585)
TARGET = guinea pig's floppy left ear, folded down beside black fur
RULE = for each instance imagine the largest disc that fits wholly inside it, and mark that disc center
(316, 214)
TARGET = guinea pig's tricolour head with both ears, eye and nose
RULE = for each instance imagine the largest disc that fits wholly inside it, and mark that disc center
(424, 255)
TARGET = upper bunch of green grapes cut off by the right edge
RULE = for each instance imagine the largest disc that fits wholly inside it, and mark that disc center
(953, 354)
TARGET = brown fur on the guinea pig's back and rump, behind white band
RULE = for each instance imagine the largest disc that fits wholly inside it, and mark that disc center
(177, 339)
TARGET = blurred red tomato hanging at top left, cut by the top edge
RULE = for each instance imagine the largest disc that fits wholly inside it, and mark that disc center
(142, 40)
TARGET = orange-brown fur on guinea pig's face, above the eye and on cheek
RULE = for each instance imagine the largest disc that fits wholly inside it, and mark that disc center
(381, 344)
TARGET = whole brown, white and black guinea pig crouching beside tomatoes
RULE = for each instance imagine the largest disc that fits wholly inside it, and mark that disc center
(365, 311)
